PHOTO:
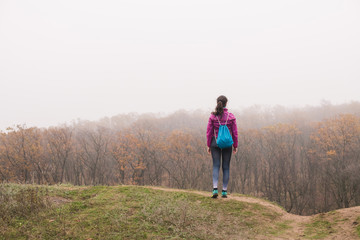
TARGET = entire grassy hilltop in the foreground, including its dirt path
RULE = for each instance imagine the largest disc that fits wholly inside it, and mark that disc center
(133, 212)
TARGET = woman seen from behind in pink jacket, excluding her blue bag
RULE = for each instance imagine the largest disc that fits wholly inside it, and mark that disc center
(221, 115)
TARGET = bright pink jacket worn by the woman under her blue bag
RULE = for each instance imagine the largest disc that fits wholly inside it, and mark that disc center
(214, 124)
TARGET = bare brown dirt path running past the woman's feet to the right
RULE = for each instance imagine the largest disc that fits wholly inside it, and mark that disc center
(345, 219)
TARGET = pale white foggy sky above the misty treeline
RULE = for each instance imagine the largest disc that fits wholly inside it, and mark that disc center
(63, 60)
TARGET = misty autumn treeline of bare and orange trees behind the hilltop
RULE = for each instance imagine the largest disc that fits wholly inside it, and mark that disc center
(306, 159)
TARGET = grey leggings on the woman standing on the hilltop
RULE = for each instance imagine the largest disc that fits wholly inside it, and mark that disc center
(217, 154)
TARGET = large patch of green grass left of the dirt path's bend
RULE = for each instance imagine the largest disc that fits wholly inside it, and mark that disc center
(131, 212)
